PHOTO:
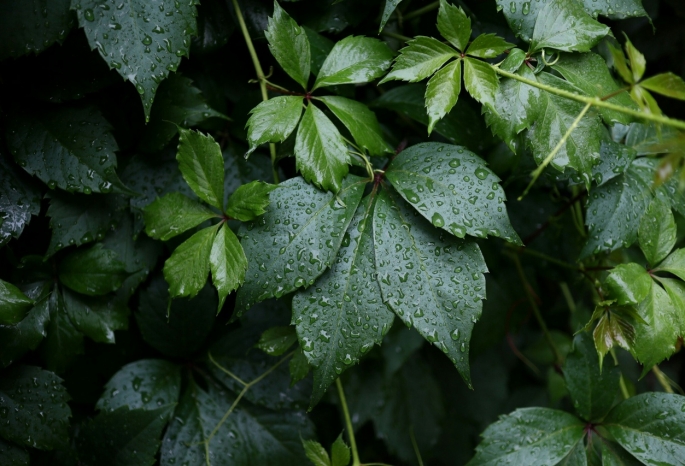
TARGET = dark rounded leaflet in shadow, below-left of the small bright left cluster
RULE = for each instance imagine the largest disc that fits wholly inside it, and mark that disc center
(94, 271)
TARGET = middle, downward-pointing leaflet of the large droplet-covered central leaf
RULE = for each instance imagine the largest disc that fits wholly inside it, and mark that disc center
(329, 314)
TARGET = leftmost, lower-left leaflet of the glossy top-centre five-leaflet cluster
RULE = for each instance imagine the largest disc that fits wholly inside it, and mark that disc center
(273, 120)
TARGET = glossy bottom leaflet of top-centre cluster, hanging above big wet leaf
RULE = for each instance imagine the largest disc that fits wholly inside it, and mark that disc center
(320, 152)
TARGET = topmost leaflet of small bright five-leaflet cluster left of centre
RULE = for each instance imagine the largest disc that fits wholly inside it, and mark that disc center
(202, 165)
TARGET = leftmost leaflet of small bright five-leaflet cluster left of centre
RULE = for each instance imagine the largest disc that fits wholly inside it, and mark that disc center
(172, 215)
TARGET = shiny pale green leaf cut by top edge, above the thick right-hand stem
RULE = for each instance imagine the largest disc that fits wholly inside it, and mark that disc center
(564, 25)
